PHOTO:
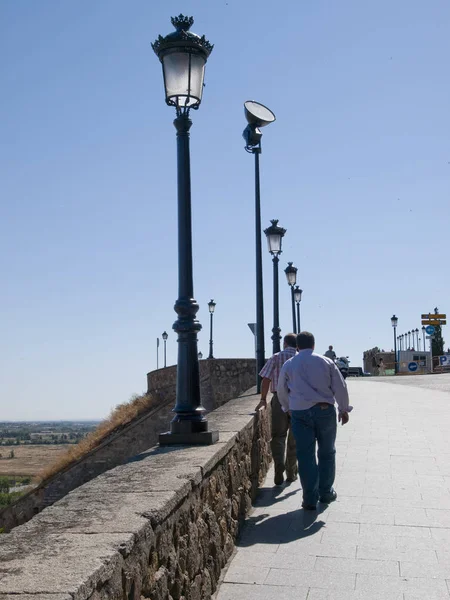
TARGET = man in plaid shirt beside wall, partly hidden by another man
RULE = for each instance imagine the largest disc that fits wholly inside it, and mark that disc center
(282, 444)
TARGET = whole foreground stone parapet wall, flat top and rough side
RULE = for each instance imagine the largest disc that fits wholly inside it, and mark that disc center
(161, 527)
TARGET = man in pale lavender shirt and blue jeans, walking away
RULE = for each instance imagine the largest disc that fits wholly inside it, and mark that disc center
(308, 387)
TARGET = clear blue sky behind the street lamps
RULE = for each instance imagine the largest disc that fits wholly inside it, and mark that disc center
(356, 167)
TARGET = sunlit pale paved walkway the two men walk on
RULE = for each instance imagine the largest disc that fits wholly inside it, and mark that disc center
(387, 537)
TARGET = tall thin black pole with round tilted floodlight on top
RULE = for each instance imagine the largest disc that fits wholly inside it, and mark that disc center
(257, 116)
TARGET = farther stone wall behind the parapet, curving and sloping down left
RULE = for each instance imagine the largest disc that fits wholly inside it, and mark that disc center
(221, 379)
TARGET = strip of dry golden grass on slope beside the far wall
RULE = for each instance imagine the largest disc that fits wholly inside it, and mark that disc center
(119, 417)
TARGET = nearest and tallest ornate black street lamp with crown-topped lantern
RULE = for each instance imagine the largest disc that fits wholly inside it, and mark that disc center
(183, 55)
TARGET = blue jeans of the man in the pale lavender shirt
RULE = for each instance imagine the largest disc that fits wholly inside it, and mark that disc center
(316, 423)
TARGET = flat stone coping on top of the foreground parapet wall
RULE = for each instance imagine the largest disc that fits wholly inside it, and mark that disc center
(72, 548)
